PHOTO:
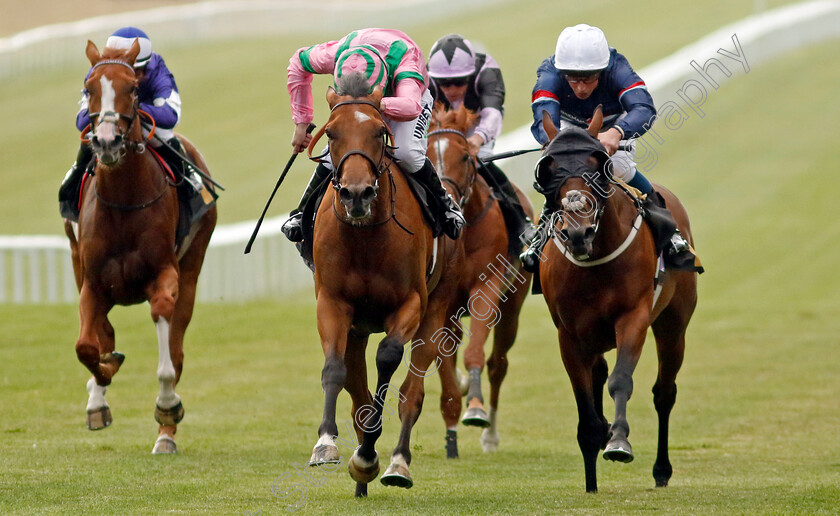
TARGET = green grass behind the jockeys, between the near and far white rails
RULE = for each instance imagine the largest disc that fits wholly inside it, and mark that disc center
(236, 108)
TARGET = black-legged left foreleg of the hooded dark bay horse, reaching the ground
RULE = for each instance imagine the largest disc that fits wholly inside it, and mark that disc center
(591, 431)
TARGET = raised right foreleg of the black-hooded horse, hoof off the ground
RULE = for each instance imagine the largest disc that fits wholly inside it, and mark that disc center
(630, 332)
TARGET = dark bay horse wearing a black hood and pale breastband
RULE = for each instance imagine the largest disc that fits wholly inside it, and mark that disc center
(598, 279)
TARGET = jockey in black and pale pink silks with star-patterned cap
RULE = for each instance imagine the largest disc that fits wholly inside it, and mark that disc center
(461, 76)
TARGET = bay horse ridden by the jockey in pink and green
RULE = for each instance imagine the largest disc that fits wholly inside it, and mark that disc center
(377, 269)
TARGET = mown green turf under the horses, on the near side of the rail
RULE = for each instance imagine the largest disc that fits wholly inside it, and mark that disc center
(753, 430)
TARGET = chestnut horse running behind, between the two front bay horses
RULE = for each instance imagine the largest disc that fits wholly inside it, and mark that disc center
(489, 273)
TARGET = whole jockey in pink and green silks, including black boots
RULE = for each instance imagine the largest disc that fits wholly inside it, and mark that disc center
(391, 60)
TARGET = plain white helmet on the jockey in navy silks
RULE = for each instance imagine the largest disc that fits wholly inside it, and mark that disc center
(582, 48)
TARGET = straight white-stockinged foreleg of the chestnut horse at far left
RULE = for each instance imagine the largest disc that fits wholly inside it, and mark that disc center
(163, 295)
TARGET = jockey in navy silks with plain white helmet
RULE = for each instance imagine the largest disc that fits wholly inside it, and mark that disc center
(585, 72)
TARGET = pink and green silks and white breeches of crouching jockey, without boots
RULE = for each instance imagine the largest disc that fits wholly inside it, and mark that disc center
(397, 64)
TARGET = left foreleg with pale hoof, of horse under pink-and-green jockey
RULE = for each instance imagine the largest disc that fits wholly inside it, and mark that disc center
(334, 320)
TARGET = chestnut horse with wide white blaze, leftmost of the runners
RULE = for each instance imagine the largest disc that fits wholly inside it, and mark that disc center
(124, 252)
